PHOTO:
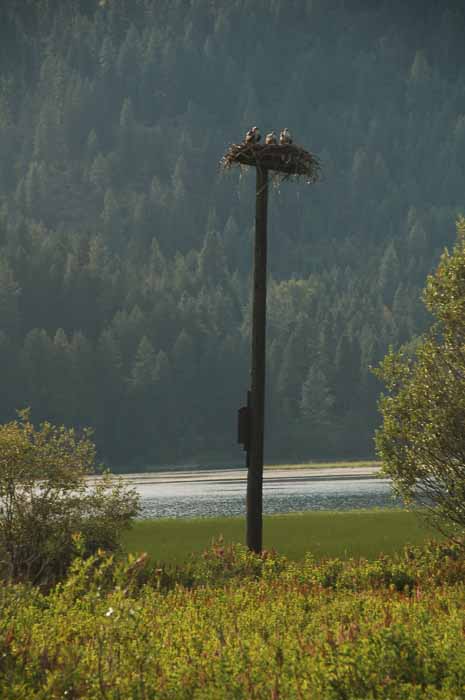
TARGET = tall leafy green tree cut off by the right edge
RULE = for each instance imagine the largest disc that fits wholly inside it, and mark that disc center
(421, 441)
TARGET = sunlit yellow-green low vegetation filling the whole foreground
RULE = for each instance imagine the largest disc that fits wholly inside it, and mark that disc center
(230, 624)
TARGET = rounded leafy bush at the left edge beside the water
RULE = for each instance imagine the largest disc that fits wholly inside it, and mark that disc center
(46, 500)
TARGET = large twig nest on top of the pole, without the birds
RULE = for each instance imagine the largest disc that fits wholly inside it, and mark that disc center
(284, 161)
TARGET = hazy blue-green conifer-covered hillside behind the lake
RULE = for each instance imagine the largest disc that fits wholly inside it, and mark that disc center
(125, 255)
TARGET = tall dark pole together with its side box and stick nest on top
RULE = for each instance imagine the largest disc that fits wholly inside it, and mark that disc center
(287, 160)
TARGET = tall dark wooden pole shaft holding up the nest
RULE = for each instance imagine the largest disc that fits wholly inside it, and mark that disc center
(257, 394)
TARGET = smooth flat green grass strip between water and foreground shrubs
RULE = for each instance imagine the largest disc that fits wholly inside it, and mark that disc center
(336, 534)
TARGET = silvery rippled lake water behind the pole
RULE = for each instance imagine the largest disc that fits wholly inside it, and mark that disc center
(221, 493)
